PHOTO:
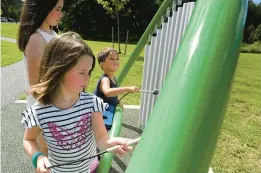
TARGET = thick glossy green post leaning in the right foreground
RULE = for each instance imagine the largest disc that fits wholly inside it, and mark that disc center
(184, 126)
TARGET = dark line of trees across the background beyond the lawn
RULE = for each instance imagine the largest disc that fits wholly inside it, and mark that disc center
(94, 19)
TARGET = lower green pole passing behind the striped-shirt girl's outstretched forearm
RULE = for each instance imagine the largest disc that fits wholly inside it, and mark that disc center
(106, 160)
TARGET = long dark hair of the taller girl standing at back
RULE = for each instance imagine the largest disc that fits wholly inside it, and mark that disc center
(34, 12)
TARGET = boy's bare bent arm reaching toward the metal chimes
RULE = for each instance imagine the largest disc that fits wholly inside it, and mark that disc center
(113, 92)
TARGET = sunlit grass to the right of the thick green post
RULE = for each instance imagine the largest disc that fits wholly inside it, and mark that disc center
(239, 144)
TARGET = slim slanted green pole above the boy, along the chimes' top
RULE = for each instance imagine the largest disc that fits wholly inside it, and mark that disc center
(144, 38)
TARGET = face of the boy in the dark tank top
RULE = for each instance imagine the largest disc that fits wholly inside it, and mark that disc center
(111, 63)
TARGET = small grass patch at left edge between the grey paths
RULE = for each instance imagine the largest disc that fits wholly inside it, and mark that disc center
(10, 53)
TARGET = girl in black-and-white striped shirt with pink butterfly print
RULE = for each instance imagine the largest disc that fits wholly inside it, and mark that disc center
(71, 120)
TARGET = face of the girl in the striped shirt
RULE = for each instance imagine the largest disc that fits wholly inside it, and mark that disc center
(78, 77)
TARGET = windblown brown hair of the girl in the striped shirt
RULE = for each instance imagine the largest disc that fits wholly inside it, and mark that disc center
(61, 55)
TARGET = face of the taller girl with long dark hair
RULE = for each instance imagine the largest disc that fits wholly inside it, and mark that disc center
(55, 15)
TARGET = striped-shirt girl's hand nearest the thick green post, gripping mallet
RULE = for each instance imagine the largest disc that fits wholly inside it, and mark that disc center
(122, 148)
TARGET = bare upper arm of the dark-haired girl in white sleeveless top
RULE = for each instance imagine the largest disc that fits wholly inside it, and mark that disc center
(34, 51)
